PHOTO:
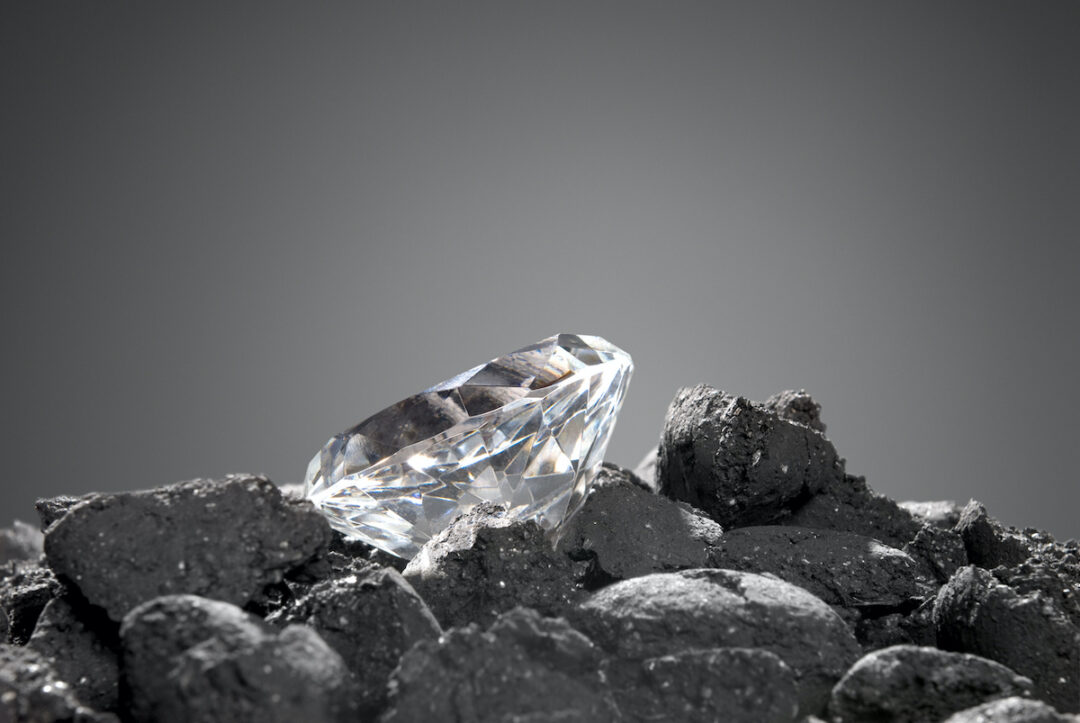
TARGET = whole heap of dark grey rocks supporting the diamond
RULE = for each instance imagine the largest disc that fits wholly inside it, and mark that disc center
(739, 574)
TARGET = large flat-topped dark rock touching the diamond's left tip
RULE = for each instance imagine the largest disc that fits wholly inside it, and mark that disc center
(225, 540)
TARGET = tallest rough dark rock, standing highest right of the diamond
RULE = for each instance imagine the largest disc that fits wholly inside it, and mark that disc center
(740, 462)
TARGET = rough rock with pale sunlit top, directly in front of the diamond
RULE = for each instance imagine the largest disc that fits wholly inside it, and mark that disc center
(485, 564)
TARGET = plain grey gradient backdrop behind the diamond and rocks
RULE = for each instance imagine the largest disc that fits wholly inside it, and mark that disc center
(231, 233)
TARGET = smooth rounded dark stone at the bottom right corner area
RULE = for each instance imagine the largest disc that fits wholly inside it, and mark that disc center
(911, 685)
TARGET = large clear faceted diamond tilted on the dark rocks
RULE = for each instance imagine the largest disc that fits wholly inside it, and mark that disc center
(528, 431)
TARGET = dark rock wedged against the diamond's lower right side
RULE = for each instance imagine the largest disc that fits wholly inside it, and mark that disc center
(626, 531)
